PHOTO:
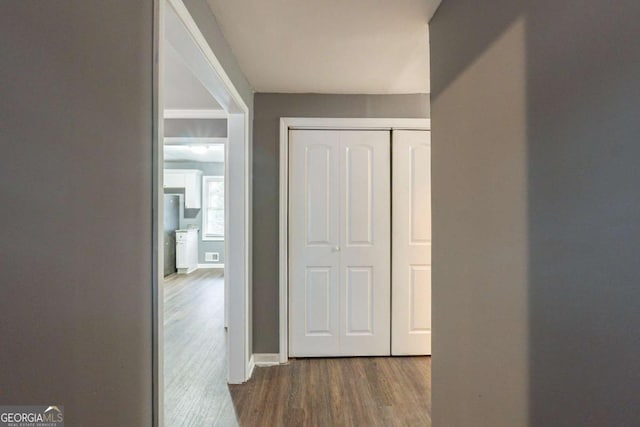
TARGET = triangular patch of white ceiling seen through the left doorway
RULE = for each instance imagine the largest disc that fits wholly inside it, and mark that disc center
(182, 90)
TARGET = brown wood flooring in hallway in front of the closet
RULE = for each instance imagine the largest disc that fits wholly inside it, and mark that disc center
(363, 391)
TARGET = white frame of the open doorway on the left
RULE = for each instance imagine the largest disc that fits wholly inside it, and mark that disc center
(207, 67)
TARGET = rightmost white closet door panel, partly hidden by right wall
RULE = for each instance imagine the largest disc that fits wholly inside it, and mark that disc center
(411, 282)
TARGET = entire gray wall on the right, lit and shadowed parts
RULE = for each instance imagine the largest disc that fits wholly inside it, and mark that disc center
(536, 214)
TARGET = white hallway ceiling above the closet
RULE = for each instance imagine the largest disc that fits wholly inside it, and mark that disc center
(330, 46)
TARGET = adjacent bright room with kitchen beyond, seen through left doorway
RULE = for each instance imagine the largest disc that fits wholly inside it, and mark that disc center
(195, 322)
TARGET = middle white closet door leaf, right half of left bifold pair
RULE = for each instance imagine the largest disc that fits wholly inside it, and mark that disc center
(365, 225)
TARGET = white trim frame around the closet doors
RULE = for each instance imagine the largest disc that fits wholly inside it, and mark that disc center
(286, 124)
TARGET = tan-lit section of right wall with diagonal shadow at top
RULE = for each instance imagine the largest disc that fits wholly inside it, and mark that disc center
(479, 210)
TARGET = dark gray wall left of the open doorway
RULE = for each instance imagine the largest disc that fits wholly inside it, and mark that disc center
(75, 127)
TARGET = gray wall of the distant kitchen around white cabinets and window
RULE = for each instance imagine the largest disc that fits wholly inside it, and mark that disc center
(193, 217)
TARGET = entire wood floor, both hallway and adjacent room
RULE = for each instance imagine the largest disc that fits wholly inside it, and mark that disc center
(376, 391)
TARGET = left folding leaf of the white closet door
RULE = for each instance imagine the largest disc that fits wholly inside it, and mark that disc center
(313, 237)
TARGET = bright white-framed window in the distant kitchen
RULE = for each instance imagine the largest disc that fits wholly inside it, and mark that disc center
(213, 208)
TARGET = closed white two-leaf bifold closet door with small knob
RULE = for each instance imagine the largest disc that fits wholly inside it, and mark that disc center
(339, 243)
